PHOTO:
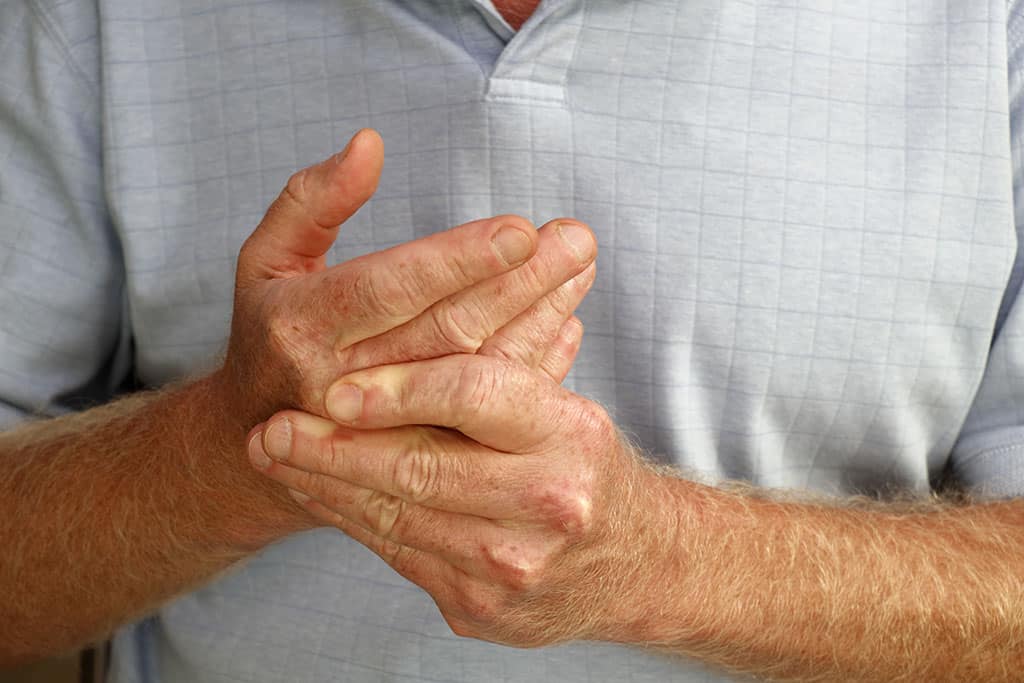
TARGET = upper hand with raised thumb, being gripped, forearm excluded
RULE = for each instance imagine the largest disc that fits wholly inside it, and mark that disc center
(494, 286)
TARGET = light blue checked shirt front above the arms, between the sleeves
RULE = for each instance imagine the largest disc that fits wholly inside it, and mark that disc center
(804, 218)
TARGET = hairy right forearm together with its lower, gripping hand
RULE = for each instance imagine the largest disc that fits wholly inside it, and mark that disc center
(531, 522)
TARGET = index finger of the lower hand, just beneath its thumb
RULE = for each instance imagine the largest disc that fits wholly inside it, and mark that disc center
(437, 468)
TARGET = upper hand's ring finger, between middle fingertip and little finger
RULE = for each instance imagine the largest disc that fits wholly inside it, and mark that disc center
(527, 338)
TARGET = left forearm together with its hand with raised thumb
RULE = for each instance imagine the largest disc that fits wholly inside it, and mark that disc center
(108, 514)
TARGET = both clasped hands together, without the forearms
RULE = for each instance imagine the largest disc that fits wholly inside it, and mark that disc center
(432, 424)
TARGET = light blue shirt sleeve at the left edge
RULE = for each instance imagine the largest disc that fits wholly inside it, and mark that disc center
(64, 343)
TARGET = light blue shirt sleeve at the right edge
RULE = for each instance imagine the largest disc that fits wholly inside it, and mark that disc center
(989, 458)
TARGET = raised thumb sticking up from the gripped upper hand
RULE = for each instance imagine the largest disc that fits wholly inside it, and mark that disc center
(303, 223)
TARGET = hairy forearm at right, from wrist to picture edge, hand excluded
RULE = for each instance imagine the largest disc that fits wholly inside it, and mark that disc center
(813, 591)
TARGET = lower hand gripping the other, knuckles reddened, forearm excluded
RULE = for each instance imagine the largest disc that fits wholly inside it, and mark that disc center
(530, 522)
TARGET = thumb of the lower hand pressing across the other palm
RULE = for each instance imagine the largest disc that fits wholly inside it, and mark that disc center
(501, 405)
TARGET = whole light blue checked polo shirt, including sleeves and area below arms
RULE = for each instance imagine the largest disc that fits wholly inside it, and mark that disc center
(808, 272)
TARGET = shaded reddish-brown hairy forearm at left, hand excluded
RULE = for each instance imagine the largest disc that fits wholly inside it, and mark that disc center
(108, 514)
